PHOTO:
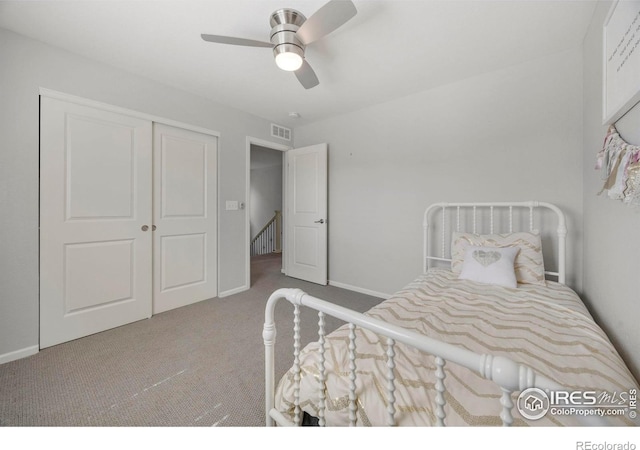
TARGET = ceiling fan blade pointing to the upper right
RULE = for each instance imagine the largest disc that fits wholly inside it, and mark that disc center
(325, 20)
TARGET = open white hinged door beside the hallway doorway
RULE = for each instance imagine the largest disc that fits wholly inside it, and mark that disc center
(306, 220)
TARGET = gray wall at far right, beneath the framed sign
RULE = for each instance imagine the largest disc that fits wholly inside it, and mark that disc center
(611, 229)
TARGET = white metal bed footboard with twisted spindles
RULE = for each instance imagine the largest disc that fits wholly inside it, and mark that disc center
(505, 373)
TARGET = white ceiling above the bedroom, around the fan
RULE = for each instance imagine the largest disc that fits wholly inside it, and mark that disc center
(390, 49)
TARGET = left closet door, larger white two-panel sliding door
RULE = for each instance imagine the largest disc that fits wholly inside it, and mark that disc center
(95, 199)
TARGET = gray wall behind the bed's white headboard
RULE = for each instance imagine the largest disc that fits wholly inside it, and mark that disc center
(509, 135)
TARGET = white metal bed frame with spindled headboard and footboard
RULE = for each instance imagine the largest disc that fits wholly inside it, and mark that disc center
(507, 374)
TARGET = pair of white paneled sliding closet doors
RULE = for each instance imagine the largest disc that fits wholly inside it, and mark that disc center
(128, 216)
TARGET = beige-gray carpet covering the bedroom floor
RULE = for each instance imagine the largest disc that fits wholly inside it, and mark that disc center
(200, 365)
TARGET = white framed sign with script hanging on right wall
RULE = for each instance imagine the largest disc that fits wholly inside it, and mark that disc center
(621, 60)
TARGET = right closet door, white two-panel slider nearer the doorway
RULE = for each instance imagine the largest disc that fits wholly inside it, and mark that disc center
(185, 217)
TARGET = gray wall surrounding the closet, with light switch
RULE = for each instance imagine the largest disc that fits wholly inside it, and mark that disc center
(28, 65)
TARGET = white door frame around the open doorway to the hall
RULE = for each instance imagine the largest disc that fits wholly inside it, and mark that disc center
(272, 146)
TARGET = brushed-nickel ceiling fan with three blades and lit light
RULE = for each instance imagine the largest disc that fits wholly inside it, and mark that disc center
(291, 32)
